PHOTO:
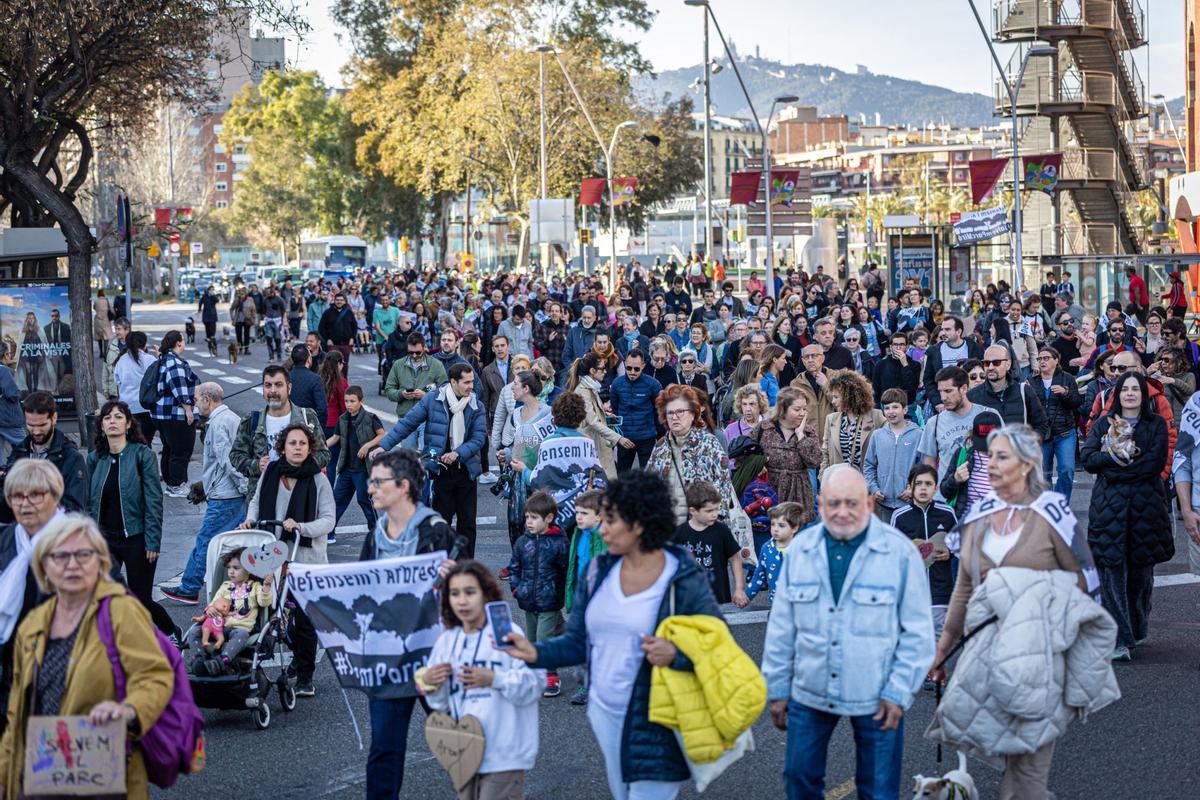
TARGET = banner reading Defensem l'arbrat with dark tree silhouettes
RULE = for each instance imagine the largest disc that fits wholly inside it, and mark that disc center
(377, 621)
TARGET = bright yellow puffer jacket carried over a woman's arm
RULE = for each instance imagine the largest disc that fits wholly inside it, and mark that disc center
(715, 705)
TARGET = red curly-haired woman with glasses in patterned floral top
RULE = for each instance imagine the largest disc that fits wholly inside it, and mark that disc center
(691, 452)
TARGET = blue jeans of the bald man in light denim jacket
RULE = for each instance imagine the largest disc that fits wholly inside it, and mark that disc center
(878, 755)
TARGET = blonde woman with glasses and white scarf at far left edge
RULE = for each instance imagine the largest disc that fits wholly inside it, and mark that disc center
(33, 489)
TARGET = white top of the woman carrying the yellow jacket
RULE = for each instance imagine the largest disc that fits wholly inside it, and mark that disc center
(616, 625)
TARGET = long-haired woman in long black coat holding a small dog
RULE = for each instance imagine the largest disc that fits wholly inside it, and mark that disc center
(1129, 522)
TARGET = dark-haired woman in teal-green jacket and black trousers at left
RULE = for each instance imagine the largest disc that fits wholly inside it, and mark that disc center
(127, 500)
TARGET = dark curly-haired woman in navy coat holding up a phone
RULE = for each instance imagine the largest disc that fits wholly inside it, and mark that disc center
(643, 580)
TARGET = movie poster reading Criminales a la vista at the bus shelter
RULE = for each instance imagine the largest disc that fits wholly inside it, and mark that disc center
(35, 323)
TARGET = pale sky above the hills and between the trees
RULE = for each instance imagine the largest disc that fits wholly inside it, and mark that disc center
(939, 46)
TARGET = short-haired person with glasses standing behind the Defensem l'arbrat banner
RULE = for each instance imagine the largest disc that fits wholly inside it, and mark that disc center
(405, 527)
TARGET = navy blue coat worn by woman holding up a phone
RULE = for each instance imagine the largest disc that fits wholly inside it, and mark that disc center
(649, 751)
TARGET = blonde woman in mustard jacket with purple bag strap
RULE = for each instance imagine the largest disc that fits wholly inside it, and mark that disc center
(62, 663)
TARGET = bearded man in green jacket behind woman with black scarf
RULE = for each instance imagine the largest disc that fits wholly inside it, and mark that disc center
(254, 448)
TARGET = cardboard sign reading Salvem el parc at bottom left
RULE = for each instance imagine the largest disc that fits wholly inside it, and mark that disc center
(70, 756)
